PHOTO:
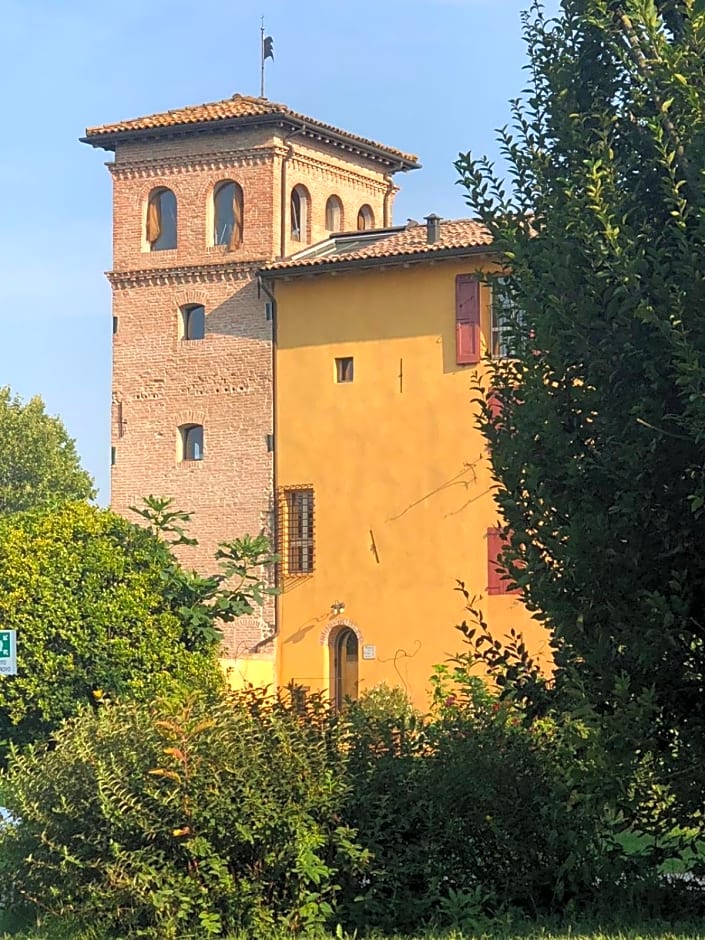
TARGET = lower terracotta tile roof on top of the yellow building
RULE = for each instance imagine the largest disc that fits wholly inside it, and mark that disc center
(355, 248)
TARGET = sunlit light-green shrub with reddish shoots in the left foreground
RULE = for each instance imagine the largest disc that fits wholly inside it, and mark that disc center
(181, 820)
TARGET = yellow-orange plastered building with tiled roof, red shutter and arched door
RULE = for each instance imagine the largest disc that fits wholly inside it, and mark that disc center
(382, 480)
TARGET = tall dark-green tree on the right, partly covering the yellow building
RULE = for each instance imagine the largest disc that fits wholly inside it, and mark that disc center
(598, 425)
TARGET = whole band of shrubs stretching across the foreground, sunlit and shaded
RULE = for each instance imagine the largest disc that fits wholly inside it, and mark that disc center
(184, 818)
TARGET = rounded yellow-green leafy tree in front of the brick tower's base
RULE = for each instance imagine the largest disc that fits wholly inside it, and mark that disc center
(103, 610)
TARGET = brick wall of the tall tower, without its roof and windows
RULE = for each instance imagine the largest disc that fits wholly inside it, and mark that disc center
(224, 381)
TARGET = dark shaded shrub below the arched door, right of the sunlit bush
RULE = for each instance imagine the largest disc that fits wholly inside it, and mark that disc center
(465, 808)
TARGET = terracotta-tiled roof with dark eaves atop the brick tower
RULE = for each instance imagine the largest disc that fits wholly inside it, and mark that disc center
(243, 111)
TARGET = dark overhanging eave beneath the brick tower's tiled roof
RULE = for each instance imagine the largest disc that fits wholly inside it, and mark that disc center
(397, 162)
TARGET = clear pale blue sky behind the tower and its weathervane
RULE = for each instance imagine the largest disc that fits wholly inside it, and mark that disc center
(433, 77)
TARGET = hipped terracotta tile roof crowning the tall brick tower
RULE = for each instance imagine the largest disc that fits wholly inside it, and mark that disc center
(239, 107)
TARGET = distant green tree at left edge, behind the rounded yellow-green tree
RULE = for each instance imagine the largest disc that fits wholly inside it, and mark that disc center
(39, 465)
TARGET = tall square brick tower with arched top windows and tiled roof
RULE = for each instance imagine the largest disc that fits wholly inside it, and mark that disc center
(203, 196)
